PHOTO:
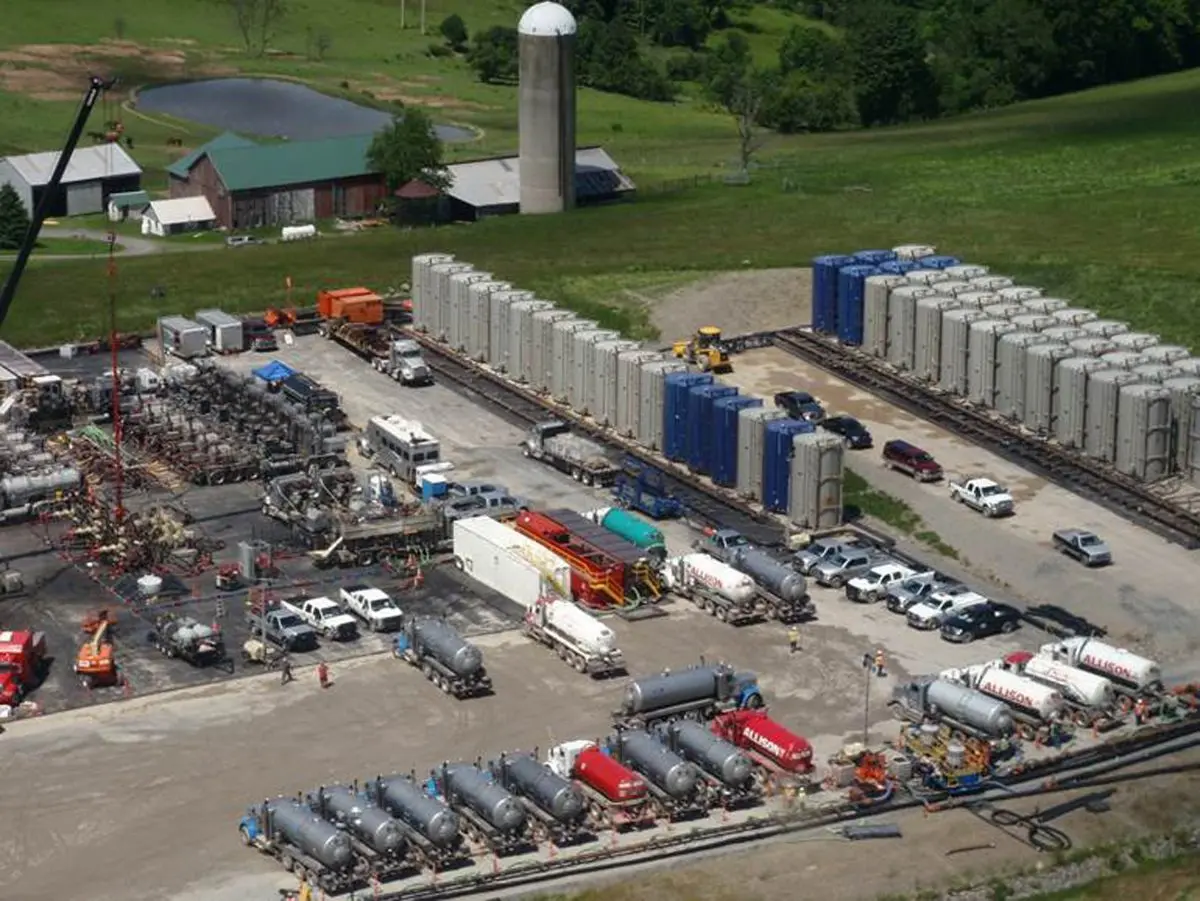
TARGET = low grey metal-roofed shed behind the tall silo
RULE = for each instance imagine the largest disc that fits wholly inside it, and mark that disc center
(493, 188)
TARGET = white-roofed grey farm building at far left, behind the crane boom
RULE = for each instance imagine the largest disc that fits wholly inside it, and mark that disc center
(93, 175)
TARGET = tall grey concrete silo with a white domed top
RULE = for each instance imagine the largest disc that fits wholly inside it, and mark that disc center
(547, 44)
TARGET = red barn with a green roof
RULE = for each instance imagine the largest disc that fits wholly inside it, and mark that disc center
(259, 185)
